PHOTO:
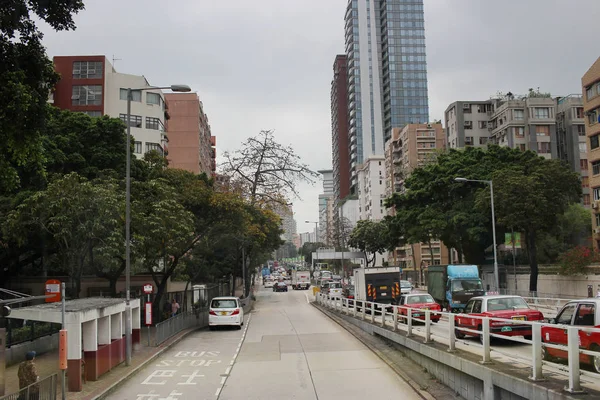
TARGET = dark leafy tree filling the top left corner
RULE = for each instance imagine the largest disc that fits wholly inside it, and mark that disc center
(26, 78)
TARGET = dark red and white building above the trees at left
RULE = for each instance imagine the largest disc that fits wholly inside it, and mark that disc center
(90, 84)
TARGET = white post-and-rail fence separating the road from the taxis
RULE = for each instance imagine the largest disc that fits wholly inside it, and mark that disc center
(401, 318)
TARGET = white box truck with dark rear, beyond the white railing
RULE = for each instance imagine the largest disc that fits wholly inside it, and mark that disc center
(377, 284)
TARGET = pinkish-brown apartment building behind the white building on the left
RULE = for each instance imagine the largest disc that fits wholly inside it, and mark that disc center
(191, 145)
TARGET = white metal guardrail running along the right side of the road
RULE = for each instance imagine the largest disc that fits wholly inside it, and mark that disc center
(534, 361)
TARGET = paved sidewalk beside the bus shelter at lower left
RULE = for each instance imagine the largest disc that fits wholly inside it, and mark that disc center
(47, 364)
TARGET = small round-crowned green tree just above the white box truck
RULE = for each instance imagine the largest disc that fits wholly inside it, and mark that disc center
(370, 237)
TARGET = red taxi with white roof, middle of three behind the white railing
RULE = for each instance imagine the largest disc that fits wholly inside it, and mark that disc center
(514, 308)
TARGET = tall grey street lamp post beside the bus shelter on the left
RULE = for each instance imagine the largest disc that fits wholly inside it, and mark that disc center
(174, 88)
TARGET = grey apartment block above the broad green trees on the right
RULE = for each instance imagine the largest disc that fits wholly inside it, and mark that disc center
(552, 127)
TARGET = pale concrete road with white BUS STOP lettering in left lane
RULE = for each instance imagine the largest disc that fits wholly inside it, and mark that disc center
(287, 350)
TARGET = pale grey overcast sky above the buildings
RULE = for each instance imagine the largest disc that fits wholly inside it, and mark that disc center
(267, 64)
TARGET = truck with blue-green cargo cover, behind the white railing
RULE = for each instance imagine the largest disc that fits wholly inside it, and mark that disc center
(453, 285)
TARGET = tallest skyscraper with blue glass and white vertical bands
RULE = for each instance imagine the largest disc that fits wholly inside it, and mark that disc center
(387, 74)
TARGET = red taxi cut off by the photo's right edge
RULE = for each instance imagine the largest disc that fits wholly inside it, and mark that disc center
(581, 313)
